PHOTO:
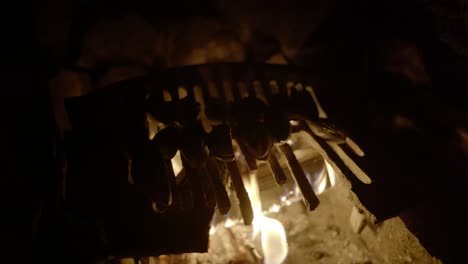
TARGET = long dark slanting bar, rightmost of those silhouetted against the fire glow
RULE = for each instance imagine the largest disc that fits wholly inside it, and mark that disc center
(310, 199)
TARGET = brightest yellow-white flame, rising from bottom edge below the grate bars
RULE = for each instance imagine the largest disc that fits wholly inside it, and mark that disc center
(273, 236)
